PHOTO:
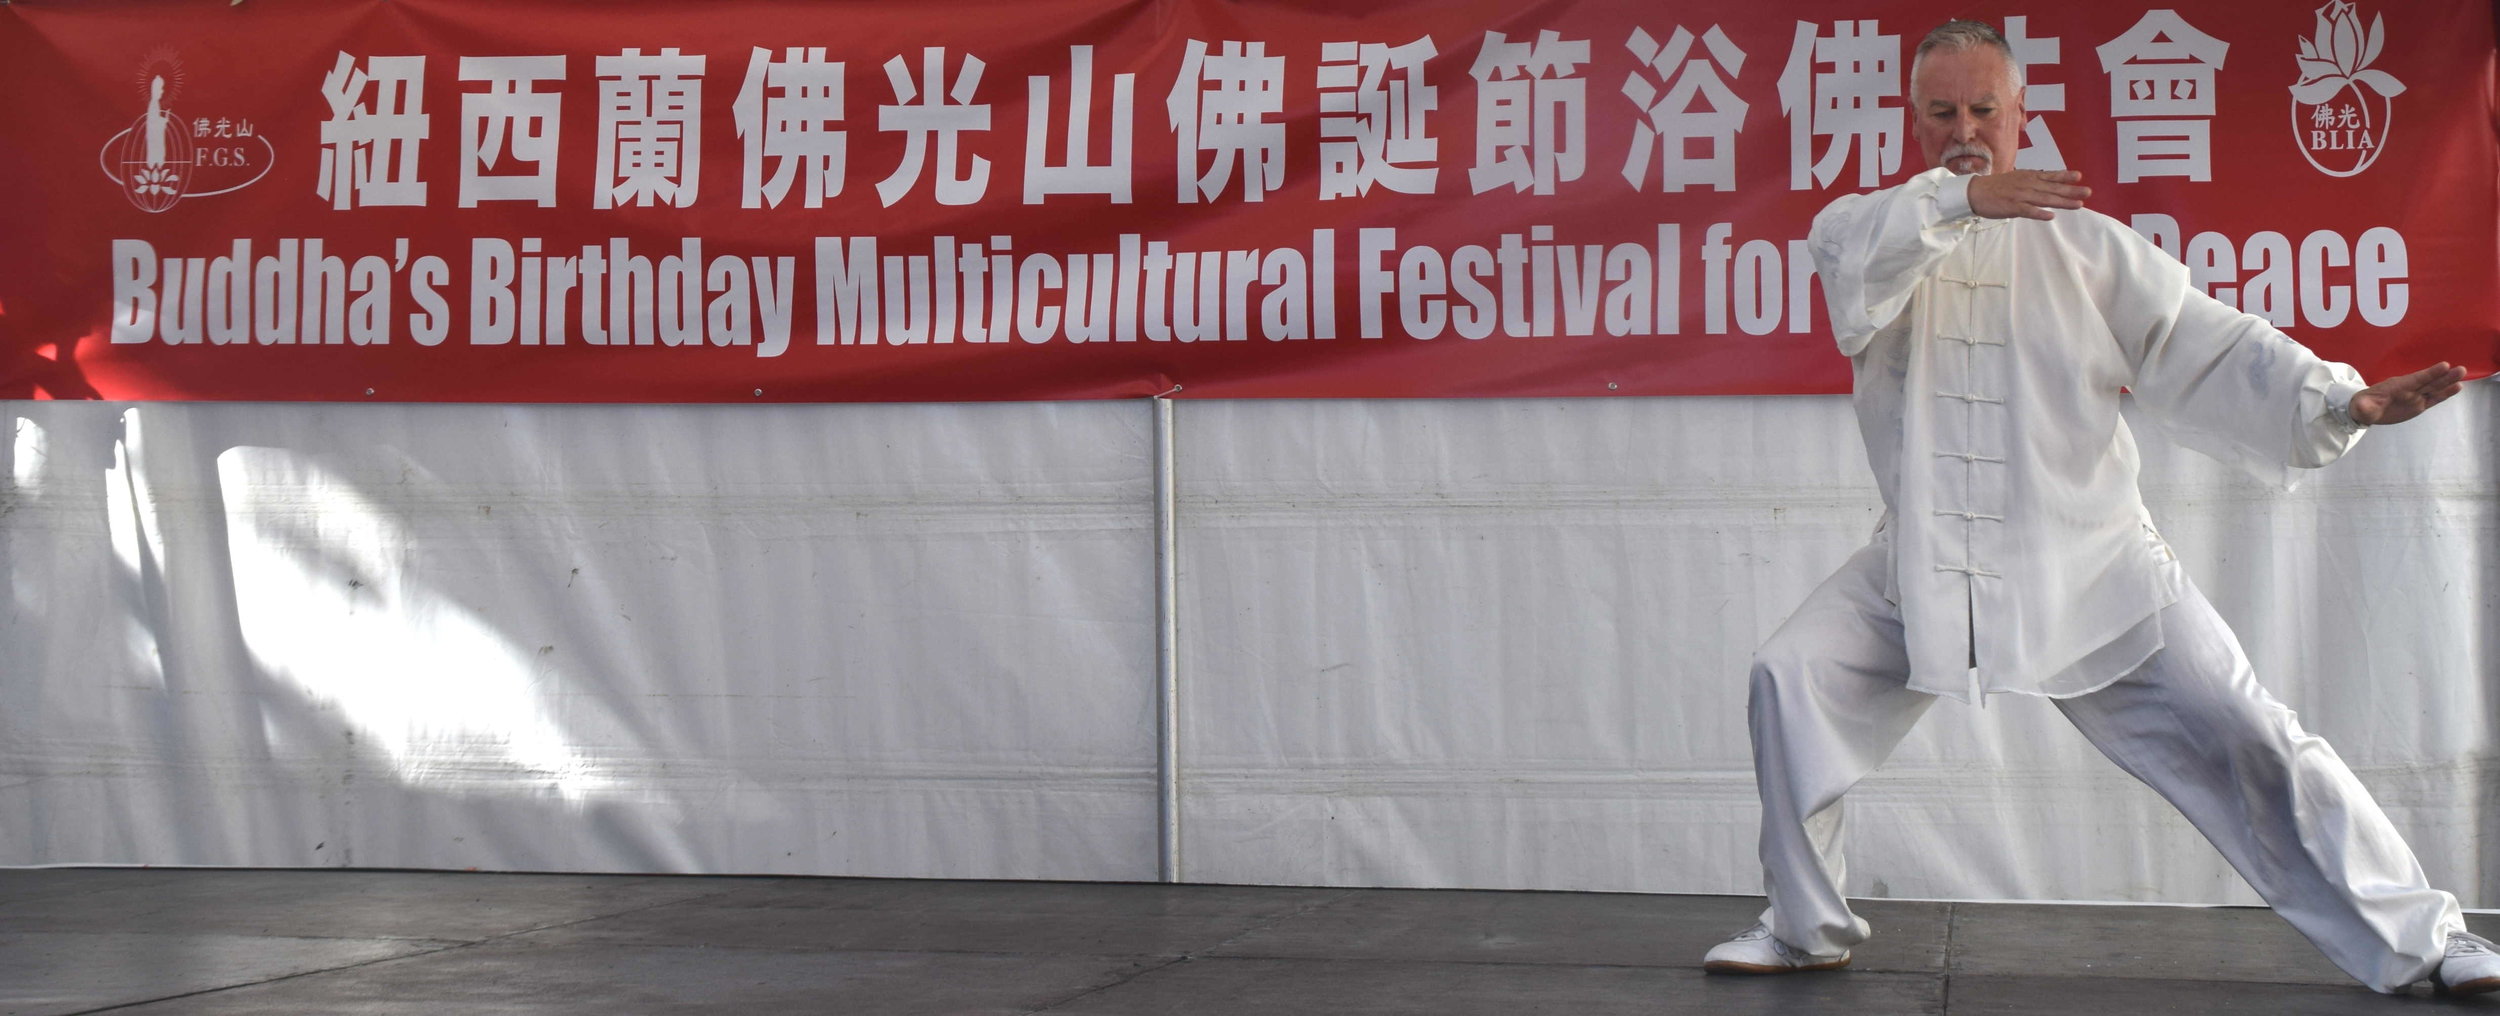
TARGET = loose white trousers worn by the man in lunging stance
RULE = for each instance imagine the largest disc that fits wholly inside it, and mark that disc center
(1831, 702)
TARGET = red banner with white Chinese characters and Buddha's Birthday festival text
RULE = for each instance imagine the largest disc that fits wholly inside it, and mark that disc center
(546, 201)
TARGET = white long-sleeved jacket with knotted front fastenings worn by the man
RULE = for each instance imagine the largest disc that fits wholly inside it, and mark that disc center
(1989, 367)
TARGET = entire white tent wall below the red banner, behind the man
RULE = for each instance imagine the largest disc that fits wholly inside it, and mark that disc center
(1424, 644)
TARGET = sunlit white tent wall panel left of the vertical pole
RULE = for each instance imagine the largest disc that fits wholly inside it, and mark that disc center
(576, 639)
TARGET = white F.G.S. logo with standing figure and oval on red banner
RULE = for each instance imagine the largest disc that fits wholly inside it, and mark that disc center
(164, 156)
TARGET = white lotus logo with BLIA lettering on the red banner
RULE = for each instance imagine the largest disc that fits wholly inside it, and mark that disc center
(2341, 106)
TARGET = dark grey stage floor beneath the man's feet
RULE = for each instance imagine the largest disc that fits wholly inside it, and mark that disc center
(391, 942)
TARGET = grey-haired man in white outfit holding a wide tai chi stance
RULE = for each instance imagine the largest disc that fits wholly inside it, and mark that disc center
(1991, 324)
